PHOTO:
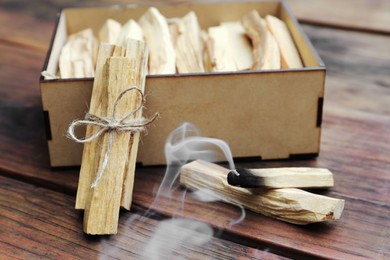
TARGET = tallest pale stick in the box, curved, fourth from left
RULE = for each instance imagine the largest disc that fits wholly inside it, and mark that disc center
(161, 52)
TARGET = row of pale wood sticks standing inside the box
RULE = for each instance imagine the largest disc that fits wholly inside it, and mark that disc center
(180, 45)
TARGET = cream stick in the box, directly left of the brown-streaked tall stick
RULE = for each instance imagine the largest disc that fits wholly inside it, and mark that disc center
(239, 46)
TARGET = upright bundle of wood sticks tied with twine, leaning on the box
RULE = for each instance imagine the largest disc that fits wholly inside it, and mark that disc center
(109, 157)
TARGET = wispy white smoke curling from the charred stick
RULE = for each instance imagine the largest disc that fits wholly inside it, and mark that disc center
(183, 145)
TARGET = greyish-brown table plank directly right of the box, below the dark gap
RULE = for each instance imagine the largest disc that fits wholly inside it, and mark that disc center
(354, 83)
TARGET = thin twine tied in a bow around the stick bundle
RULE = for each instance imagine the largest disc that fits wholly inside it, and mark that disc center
(110, 125)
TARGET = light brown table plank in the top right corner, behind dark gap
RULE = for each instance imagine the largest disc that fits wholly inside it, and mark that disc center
(363, 15)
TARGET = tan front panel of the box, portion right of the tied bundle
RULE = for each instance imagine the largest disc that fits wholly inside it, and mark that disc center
(270, 115)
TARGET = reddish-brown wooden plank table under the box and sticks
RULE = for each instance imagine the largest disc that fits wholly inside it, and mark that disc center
(37, 218)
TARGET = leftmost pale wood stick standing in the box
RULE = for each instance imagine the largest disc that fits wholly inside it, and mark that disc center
(78, 55)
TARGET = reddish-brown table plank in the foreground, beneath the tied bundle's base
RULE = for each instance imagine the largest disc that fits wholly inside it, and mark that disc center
(39, 223)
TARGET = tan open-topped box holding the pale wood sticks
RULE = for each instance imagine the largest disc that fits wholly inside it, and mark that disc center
(270, 114)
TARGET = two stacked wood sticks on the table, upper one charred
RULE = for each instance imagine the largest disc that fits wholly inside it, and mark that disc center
(272, 192)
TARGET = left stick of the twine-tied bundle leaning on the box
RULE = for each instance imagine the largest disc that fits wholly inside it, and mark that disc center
(98, 107)
